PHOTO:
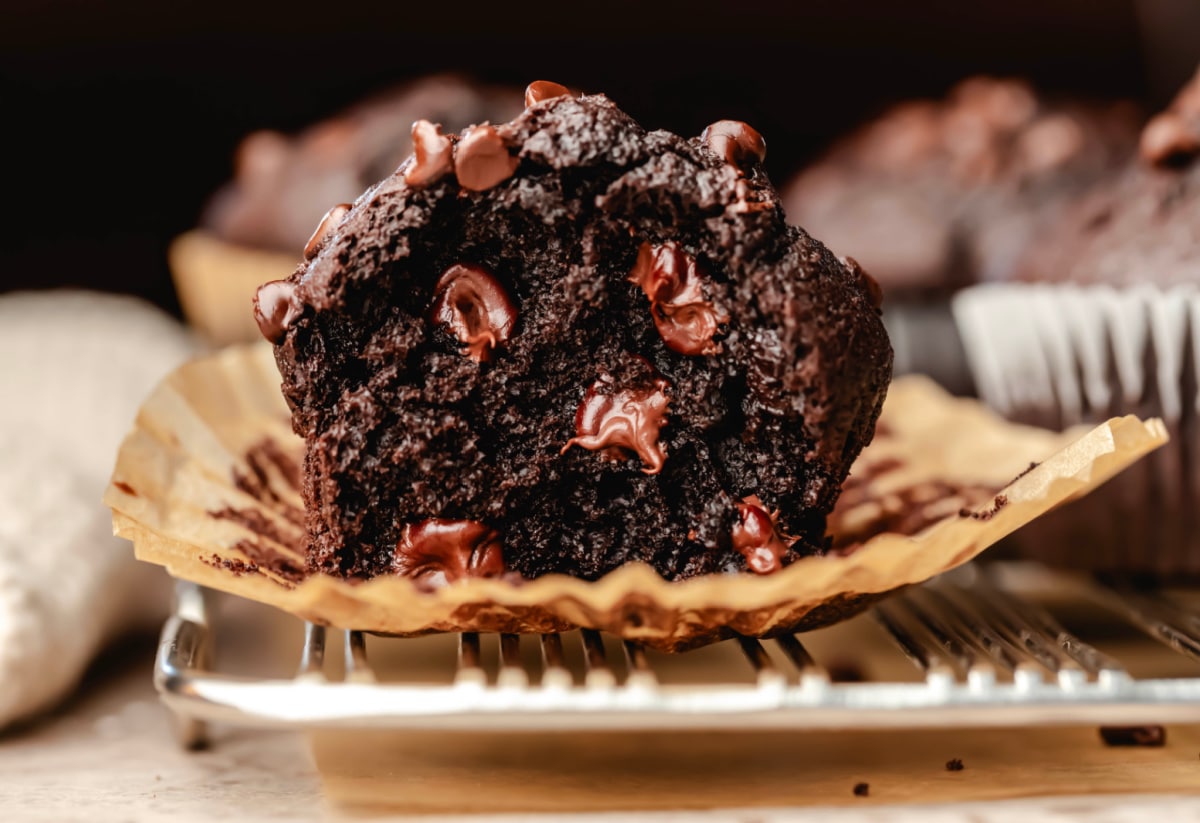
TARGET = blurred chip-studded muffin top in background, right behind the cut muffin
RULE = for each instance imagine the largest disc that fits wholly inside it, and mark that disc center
(943, 194)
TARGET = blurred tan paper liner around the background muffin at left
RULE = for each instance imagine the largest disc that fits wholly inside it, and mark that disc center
(217, 281)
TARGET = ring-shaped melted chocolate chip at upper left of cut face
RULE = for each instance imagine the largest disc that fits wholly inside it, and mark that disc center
(475, 308)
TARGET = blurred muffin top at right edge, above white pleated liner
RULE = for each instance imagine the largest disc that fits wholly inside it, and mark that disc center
(1143, 227)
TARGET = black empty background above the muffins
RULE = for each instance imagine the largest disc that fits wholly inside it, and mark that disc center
(122, 117)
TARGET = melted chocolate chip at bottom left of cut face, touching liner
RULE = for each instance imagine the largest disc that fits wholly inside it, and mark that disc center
(437, 552)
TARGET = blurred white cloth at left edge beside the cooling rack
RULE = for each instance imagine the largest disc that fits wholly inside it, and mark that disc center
(74, 369)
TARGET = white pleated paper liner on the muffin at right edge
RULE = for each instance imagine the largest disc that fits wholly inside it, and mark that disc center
(1063, 356)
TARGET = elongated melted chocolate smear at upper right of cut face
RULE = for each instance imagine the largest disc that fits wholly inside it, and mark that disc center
(673, 283)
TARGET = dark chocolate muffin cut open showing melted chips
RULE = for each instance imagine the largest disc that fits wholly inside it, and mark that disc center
(566, 344)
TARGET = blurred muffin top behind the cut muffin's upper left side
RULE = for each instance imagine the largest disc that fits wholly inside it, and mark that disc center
(283, 185)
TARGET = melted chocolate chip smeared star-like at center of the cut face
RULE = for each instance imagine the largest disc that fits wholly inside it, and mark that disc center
(610, 419)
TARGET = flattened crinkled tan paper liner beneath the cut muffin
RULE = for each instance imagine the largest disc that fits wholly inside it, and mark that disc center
(933, 456)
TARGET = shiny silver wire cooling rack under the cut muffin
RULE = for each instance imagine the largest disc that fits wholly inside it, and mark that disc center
(986, 656)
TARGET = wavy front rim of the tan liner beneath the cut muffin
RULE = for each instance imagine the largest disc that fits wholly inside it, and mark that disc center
(881, 564)
